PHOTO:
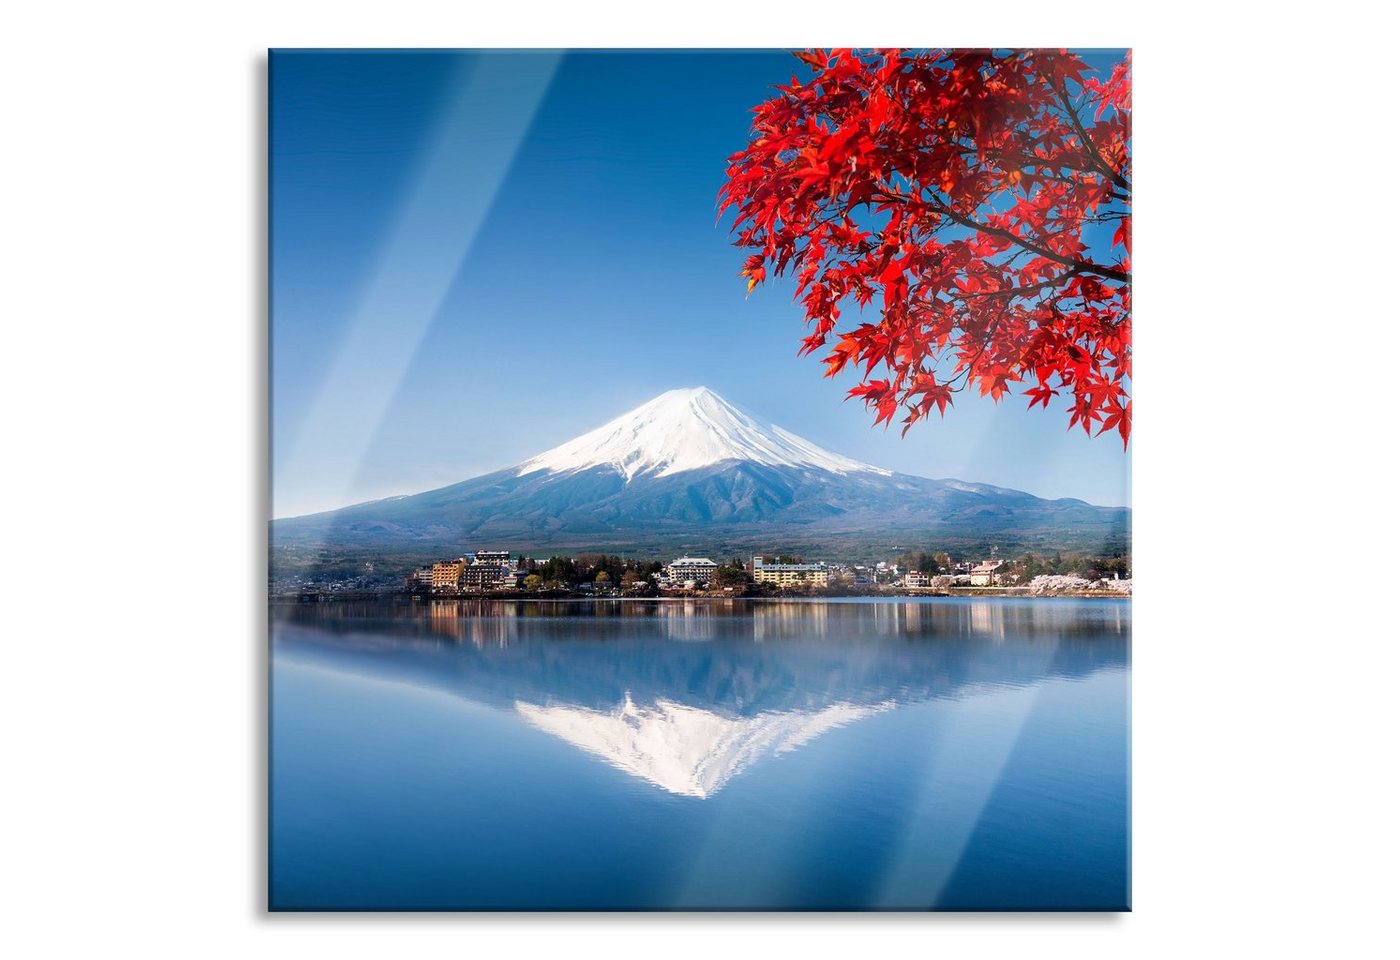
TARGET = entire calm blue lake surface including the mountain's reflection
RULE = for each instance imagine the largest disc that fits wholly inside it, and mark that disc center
(878, 755)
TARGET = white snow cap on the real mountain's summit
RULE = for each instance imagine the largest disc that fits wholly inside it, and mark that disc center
(687, 430)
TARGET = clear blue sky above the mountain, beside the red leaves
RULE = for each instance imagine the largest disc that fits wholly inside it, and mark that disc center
(477, 257)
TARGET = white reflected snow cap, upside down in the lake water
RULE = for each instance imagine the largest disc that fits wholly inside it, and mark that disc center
(682, 749)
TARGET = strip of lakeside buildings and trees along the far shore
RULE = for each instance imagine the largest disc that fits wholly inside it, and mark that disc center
(500, 573)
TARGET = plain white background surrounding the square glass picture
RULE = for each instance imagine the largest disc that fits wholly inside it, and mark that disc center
(134, 483)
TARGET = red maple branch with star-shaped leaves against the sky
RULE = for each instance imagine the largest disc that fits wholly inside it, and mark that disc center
(983, 197)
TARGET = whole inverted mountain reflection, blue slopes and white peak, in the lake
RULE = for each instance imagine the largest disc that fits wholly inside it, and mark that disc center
(685, 696)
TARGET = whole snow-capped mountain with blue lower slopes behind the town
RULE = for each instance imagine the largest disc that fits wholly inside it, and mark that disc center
(689, 470)
